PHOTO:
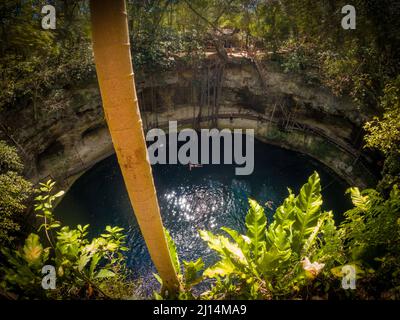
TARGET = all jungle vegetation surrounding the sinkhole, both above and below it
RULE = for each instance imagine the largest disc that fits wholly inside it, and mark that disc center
(299, 254)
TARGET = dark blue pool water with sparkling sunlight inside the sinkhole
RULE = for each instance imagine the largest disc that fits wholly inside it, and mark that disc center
(202, 198)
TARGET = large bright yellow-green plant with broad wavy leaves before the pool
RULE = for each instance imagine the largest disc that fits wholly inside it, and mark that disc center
(273, 261)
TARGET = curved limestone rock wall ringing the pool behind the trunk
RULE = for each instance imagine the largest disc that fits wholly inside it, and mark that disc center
(65, 142)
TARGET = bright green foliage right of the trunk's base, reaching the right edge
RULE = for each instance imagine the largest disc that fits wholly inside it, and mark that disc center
(300, 254)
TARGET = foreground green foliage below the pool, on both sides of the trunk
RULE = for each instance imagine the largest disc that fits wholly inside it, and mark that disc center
(299, 253)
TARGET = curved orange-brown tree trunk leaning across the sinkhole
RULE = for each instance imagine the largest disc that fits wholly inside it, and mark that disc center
(116, 79)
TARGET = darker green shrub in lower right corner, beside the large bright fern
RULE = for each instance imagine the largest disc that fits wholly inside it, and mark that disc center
(371, 233)
